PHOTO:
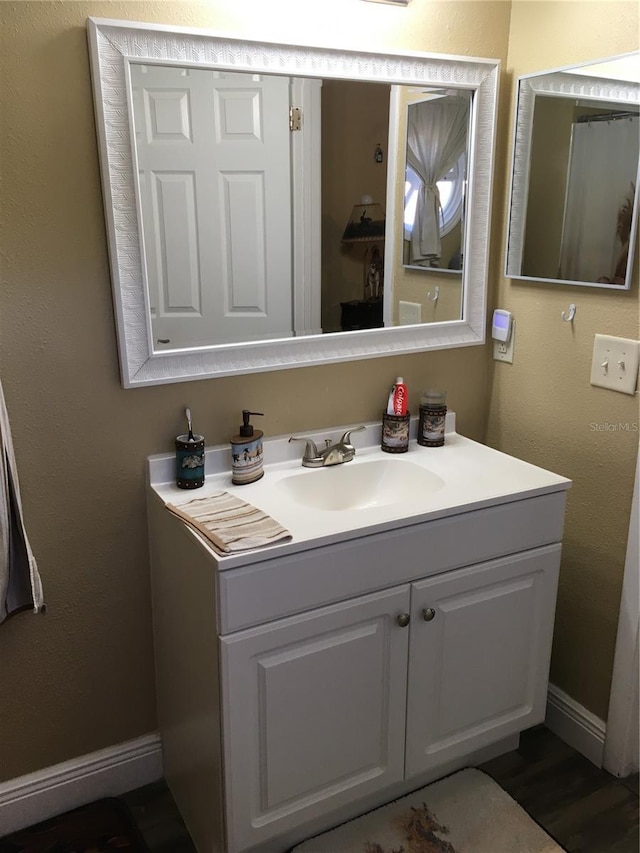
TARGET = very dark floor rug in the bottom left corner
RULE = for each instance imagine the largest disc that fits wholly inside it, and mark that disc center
(100, 827)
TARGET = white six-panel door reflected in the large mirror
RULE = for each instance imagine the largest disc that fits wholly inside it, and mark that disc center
(214, 175)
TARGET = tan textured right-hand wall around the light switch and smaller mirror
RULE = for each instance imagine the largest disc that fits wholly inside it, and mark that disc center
(543, 407)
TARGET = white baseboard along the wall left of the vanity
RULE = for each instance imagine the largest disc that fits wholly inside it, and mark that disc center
(107, 773)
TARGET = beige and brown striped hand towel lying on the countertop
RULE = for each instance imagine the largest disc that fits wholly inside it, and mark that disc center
(229, 523)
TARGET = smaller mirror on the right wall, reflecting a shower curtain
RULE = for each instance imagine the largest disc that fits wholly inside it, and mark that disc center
(575, 167)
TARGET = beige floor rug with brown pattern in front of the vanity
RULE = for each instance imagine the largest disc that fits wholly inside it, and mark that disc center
(466, 812)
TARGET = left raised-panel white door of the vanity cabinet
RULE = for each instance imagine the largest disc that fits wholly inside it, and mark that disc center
(314, 713)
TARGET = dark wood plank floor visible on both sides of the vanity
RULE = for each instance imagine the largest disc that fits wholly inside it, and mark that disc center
(585, 809)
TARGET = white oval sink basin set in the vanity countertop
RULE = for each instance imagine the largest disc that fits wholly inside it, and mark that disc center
(360, 485)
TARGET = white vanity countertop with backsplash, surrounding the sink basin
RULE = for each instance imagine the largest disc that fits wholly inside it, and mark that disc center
(472, 476)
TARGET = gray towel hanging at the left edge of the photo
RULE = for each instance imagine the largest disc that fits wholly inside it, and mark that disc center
(20, 585)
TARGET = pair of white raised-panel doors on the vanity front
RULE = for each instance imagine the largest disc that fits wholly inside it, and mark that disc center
(340, 702)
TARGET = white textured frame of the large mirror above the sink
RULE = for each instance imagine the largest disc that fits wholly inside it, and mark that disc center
(114, 44)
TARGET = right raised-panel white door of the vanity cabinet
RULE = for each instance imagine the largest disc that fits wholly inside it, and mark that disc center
(479, 655)
